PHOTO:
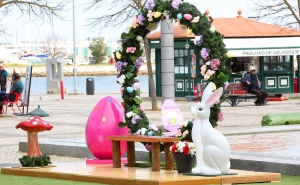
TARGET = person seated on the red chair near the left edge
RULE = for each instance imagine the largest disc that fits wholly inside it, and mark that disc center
(16, 87)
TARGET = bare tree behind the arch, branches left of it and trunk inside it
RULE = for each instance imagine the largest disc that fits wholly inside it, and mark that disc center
(117, 16)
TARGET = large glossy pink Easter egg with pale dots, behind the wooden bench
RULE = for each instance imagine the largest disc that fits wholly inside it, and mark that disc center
(102, 122)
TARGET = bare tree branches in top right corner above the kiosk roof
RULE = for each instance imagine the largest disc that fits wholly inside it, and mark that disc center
(280, 12)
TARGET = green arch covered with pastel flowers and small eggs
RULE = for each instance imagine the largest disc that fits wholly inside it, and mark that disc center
(128, 60)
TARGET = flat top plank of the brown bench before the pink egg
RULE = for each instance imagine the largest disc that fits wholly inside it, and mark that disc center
(140, 138)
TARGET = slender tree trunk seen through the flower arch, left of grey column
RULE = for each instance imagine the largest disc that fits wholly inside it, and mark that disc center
(150, 75)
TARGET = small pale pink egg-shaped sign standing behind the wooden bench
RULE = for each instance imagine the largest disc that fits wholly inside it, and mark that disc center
(171, 116)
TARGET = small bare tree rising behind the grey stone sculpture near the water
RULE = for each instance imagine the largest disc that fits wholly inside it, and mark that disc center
(55, 45)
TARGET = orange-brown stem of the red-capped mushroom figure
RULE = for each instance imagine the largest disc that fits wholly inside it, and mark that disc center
(33, 145)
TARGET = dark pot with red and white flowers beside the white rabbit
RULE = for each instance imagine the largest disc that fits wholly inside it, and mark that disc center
(184, 155)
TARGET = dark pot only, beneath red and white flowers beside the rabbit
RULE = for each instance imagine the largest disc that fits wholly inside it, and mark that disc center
(184, 162)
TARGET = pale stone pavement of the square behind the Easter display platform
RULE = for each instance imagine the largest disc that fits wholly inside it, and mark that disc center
(277, 147)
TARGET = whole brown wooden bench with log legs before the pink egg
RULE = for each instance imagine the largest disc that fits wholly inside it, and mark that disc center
(155, 144)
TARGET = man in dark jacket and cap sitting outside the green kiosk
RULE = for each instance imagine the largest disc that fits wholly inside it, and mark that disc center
(253, 87)
